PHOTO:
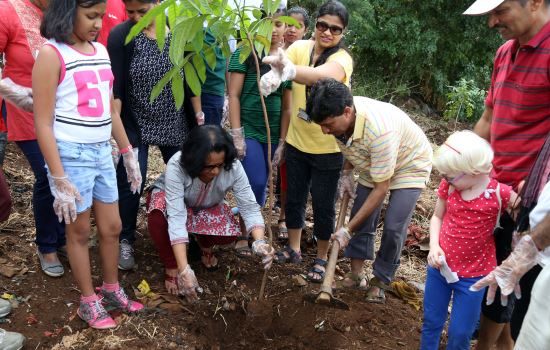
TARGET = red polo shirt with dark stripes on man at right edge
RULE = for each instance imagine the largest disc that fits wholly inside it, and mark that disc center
(520, 98)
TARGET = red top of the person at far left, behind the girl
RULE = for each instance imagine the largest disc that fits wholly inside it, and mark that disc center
(20, 41)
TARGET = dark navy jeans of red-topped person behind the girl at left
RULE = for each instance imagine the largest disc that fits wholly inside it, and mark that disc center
(50, 233)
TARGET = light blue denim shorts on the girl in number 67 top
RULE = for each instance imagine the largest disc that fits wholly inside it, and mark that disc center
(90, 168)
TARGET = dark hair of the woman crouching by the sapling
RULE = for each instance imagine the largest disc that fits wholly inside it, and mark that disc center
(200, 142)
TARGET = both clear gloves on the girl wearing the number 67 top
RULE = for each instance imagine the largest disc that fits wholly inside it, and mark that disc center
(66, 194)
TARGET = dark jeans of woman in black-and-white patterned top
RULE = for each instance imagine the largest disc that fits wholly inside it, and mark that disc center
(128, 202)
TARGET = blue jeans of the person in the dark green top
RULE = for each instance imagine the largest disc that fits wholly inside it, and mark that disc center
(255, 166)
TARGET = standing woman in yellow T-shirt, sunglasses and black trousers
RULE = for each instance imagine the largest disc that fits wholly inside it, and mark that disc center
(313, 159)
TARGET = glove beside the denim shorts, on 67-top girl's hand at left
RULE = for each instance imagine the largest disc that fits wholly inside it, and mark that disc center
(65, 196)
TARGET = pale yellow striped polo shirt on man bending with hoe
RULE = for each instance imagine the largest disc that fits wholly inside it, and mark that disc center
(387, 144)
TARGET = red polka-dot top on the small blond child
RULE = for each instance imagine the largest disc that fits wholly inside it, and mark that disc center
(466, 235)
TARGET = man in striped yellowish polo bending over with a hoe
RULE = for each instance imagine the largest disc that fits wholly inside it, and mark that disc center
(390, 153)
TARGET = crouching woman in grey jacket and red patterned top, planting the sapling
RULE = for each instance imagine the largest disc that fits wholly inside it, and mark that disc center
(189, 197)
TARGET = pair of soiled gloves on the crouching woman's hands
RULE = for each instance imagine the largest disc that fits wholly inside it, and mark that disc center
(189, 285)
